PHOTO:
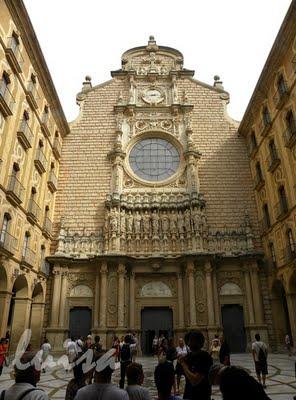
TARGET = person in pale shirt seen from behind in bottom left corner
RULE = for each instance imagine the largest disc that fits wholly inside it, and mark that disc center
(25, 383)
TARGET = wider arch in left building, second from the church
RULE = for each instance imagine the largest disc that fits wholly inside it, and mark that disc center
(20, 310)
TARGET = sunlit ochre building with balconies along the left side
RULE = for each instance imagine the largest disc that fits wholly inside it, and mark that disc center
(32, 127)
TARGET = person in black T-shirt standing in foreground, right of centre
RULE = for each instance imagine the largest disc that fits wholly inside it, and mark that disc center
(196, 366)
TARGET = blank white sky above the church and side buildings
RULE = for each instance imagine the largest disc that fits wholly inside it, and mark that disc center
(231, 38)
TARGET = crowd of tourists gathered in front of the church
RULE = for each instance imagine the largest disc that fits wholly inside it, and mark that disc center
(201, 370)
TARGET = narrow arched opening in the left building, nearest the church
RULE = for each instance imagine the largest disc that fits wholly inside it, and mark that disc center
(37, 315)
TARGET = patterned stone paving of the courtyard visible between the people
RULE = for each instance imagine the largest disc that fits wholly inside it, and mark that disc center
(281, 384)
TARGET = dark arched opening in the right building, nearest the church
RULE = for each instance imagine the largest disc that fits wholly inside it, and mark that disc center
(280, 313)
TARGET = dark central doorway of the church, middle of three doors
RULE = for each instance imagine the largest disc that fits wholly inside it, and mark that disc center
(155, 321)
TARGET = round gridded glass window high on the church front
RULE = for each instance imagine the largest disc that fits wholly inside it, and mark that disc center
(154, 159)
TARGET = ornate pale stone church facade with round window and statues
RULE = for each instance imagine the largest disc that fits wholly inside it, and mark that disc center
(155, 216)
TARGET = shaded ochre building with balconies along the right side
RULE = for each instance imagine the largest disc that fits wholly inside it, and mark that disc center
(269, 127)
